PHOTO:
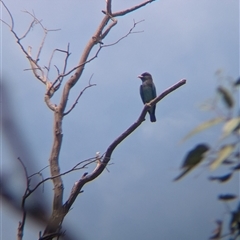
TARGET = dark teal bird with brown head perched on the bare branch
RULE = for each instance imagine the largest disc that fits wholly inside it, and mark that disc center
(148, 93)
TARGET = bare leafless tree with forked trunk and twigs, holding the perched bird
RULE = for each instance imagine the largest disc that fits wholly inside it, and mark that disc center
(109, 20)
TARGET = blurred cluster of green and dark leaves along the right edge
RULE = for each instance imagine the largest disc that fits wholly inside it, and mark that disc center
(226, 151)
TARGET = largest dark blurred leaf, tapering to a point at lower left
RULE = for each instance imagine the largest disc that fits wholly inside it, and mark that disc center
(193, 158)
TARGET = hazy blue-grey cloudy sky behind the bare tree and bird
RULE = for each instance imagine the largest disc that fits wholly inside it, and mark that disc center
(137, 199)
